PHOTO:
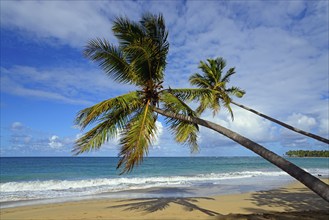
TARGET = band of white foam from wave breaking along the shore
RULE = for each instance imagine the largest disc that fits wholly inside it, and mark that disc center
(31, 190)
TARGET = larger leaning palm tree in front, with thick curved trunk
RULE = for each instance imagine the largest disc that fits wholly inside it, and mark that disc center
(140, 60)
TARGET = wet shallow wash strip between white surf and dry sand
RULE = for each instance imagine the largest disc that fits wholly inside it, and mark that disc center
(227, 187)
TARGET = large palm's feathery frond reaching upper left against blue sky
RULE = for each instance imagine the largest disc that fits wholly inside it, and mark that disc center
(111, 59)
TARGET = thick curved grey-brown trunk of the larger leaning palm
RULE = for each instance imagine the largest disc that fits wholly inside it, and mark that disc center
(305, 178)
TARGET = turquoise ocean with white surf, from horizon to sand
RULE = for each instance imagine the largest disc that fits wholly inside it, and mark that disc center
(36, 180)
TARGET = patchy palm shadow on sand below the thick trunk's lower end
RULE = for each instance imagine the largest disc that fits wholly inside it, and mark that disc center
(296, 200)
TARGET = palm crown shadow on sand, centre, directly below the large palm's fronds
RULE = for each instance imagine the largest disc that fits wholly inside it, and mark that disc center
(158, 204)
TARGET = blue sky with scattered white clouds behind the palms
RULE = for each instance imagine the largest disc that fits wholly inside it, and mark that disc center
(279, 49)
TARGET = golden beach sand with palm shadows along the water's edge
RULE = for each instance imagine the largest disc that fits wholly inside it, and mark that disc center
(290, 202)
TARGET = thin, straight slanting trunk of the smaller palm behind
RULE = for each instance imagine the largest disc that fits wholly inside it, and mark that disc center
(316, 137)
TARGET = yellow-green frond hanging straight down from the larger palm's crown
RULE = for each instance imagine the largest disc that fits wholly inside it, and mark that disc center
(136, 138)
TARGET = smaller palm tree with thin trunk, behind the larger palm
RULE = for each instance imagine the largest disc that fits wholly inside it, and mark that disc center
(212, 79)
